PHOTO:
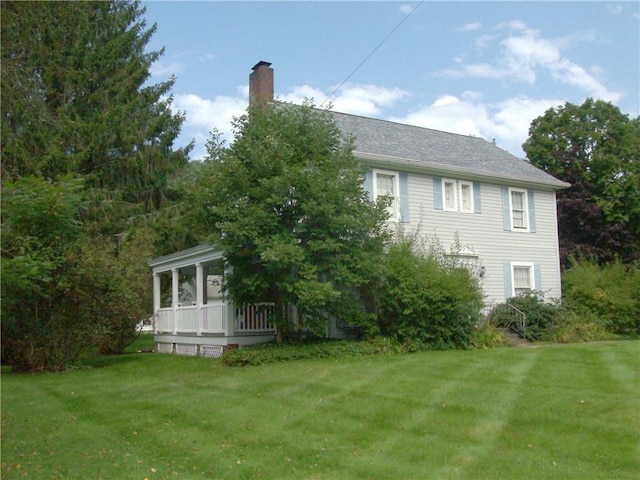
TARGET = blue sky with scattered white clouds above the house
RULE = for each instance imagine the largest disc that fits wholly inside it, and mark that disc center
(475, 68)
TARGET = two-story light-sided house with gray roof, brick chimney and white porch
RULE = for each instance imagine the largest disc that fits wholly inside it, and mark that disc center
(495, 211)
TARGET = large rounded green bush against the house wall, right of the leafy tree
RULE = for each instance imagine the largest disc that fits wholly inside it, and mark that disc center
(424, 302)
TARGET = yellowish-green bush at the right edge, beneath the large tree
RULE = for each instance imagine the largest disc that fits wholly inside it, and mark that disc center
(610, 292)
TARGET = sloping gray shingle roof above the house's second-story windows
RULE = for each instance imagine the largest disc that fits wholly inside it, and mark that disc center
(382, 142)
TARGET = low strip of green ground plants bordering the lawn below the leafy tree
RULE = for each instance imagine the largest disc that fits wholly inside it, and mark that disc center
(283, 352)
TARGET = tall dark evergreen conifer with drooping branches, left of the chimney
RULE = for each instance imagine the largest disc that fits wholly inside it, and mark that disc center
(75, 101)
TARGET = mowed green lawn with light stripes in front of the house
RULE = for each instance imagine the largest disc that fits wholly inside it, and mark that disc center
(549, 412)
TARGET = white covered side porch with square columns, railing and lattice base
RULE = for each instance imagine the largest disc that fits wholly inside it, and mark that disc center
(191, 314)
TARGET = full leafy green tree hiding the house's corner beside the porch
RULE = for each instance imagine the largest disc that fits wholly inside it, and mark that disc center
(286, 204)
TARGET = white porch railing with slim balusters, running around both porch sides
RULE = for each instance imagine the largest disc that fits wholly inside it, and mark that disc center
(212, 319)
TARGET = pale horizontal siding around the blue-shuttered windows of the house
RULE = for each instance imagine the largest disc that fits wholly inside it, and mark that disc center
(484, 233)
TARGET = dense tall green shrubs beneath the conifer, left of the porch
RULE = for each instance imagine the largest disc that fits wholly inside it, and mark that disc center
(63, 291)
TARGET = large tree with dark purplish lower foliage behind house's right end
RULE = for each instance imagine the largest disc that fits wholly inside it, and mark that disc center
(596, 148)
